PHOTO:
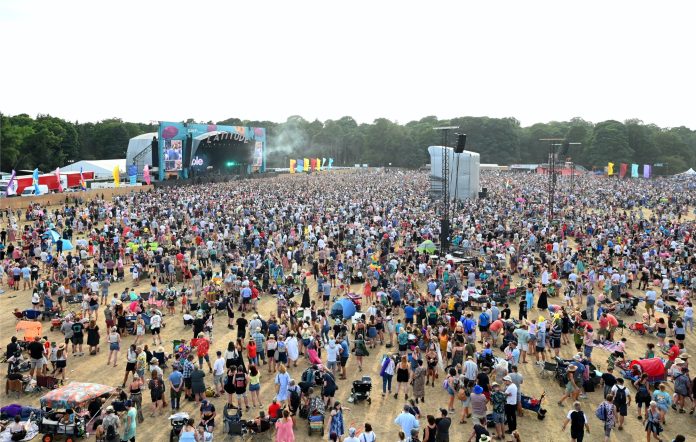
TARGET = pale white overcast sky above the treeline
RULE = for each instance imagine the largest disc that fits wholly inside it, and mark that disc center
(536, 61)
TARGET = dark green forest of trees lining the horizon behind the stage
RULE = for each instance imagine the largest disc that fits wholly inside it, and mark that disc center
(48, 142)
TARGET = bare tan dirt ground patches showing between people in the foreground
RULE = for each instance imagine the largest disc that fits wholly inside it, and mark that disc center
(380, 413)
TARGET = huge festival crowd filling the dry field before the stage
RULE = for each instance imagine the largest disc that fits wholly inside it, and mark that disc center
(445, 327)
